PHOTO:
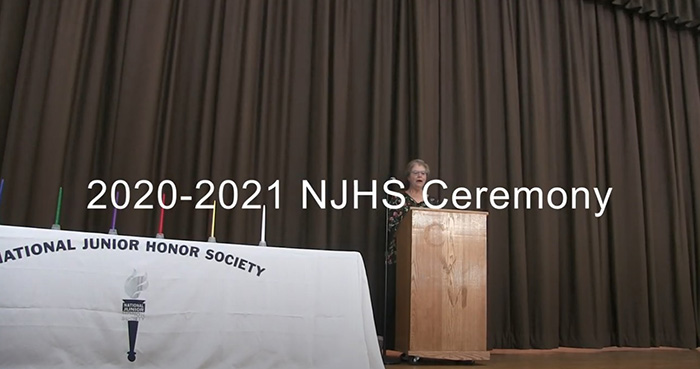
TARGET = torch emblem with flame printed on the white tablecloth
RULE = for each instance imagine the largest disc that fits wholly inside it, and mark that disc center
(134, 309)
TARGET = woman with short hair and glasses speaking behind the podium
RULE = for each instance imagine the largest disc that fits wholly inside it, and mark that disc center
(417, 172)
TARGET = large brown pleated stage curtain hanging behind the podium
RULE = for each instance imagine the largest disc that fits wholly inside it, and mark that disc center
(490, 93)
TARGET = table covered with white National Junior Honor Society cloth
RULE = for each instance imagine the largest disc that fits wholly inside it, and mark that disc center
(90, 300)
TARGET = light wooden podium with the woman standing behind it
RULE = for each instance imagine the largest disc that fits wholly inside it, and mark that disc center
(441, 284)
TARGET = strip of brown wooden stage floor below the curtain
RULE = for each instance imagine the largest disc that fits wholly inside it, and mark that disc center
(610, 358)
